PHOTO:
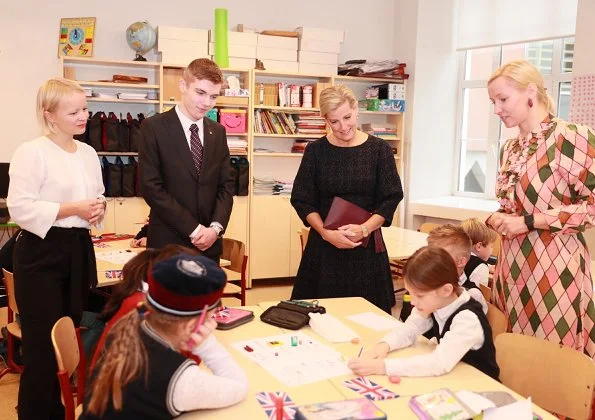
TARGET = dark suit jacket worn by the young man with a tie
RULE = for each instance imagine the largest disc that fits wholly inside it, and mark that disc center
(178, 197)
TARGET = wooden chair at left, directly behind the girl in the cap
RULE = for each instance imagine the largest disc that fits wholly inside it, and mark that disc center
(70, 356)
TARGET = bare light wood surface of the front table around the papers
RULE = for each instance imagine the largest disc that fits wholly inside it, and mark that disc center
(462, 377)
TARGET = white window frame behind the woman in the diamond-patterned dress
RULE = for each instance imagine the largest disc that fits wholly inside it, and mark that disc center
(552, 84)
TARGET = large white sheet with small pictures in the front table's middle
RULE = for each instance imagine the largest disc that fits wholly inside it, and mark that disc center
(307, 362)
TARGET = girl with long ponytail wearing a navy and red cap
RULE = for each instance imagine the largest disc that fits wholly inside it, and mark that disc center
(142, 373)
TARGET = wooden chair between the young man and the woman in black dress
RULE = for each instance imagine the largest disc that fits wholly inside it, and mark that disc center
(235, 252)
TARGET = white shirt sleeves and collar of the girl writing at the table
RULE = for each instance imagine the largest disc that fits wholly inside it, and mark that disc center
(465, 334)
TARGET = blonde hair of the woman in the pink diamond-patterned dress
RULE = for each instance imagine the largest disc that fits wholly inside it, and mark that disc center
(522, 73)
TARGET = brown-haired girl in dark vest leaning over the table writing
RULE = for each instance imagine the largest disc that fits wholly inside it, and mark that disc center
(442, 310)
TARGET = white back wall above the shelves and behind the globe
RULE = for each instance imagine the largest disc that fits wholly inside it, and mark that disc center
(29, 38)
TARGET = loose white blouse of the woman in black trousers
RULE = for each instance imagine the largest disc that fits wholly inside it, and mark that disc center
(43, 175)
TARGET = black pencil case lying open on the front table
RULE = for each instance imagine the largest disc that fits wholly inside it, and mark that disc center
(291, 315)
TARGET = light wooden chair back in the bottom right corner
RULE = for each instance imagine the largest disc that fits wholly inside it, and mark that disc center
(557, 378)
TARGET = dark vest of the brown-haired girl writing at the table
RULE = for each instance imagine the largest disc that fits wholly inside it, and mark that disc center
(483, 358)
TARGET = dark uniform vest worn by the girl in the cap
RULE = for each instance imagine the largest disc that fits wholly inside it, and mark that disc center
(149, 397)
